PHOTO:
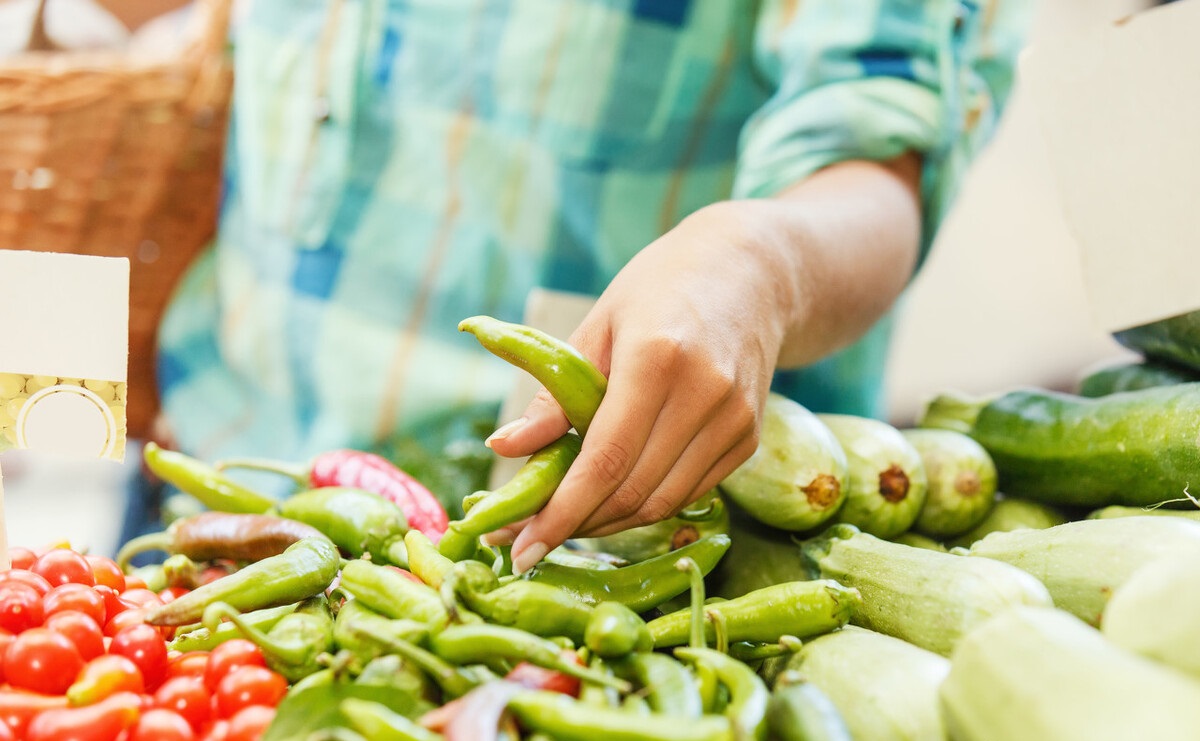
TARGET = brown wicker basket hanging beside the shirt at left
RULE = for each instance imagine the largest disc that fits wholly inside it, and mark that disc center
(106, 155)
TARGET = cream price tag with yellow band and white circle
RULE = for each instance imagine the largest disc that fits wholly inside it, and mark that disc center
(64, 352)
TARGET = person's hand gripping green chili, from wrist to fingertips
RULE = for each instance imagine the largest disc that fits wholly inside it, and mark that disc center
(688, 335)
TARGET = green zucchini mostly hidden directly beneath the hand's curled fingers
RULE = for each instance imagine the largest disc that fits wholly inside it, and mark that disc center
(707, 516)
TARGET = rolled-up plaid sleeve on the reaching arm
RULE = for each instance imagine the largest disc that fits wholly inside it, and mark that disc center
(878, 79)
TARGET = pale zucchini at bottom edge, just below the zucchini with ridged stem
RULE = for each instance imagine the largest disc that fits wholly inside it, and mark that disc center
(881, 686)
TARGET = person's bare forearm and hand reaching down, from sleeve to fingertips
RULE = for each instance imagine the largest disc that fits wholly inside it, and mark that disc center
(691, 332)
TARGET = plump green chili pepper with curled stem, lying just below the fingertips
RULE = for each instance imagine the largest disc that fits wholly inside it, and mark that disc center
(541, 610)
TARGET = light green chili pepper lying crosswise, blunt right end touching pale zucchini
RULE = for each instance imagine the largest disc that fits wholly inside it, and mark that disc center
(791, 609)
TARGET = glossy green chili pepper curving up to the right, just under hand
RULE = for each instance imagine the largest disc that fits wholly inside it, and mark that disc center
(640, 587)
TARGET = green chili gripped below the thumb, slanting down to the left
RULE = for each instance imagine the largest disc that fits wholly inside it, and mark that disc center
(521, 497)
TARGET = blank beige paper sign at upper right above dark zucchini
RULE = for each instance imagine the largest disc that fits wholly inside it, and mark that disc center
(1119, 107)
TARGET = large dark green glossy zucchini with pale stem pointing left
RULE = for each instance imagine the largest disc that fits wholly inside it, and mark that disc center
(1136, 448)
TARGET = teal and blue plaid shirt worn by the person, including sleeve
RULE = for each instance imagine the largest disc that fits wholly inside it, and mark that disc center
(395, 166)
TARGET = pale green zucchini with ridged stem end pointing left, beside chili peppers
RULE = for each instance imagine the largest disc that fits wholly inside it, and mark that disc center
(926, 598)
